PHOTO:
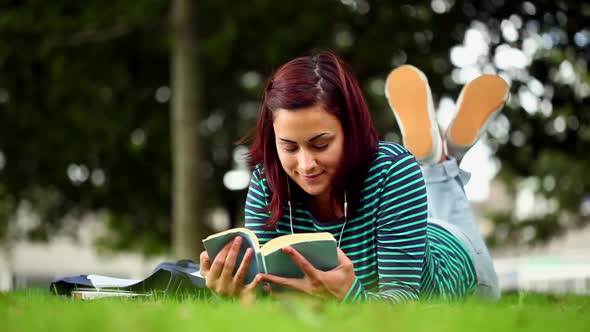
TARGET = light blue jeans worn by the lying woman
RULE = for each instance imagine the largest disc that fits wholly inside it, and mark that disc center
(448, 207)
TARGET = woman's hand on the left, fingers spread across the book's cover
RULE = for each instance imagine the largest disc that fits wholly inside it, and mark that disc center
(219, 274)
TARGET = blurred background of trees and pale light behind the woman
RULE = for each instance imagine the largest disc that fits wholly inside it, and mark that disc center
(119, 122)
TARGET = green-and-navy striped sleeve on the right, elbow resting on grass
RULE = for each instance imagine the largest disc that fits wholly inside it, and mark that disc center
(401, 235)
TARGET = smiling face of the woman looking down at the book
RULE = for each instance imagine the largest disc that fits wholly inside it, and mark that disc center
(310, 144)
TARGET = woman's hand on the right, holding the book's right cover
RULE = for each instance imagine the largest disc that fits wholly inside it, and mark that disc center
(336, 282)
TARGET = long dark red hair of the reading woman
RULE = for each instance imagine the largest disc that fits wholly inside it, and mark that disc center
(303, 82)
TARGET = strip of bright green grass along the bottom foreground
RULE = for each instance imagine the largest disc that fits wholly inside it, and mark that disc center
(36, 310)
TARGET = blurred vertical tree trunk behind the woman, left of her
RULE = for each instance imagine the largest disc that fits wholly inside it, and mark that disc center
(187, 221)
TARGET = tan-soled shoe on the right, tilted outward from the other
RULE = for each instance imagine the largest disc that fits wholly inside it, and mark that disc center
(479, 102)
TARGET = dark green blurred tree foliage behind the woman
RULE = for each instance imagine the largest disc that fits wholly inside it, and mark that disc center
(82, 130)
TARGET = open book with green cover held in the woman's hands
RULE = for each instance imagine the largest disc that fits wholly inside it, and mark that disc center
(318, 248)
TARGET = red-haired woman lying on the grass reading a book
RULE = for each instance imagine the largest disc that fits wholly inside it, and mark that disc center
(404, 233)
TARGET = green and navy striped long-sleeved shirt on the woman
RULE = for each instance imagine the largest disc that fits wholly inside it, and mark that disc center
(397, 255)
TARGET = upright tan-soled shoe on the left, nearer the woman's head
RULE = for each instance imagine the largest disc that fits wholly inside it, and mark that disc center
(409, 97)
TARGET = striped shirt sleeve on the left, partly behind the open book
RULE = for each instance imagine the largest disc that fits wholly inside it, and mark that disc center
(256, 210)
